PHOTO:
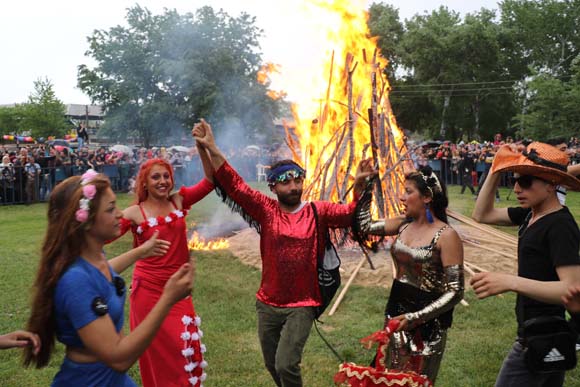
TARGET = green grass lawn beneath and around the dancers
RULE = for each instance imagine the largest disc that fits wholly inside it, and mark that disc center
(224, 296)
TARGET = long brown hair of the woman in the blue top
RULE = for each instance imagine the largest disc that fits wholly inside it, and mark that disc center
(63, 242)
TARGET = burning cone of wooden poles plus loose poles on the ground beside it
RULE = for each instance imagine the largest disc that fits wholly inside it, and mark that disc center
(368, 129)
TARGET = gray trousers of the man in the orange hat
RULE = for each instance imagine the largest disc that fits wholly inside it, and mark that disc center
(514, 373)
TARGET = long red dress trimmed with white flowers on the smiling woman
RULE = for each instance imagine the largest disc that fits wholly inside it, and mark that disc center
(175, 357)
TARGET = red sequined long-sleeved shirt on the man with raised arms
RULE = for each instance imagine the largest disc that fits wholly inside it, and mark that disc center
(288, 242)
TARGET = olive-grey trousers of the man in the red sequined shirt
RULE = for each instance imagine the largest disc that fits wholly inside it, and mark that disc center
(283, 333)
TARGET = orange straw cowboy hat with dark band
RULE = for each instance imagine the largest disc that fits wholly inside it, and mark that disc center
(538, 159)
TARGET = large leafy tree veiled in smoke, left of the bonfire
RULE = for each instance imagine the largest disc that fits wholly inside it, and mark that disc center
(161, 73)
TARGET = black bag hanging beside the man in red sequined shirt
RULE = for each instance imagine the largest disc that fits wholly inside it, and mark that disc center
(328, 264)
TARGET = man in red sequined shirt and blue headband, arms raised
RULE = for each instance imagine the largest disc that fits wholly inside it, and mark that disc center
(290, 238)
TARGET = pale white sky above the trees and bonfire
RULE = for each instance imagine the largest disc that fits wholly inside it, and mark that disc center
(48, 39)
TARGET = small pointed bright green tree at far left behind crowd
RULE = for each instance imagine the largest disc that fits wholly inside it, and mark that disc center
(43, 114)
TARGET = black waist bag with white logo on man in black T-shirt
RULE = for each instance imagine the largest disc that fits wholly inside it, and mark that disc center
(550, 344)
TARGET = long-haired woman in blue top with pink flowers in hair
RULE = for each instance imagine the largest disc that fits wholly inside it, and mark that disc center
(79, 296)
